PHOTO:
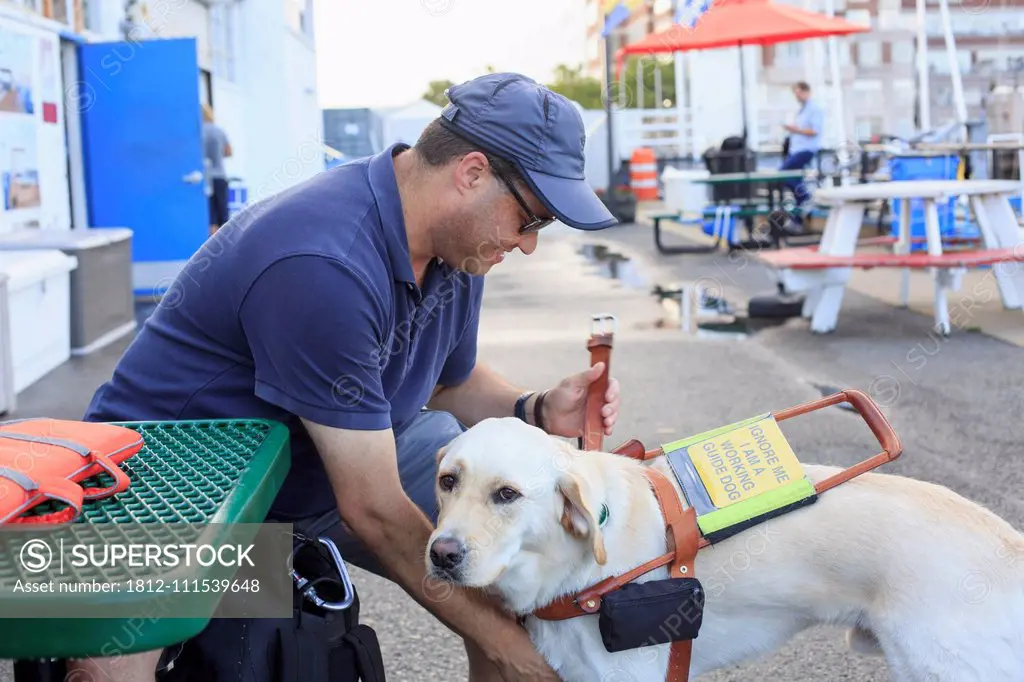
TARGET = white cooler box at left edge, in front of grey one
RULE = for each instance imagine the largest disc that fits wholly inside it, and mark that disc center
(38, 308)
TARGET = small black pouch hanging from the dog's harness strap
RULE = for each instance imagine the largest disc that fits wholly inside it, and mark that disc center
(654, 613)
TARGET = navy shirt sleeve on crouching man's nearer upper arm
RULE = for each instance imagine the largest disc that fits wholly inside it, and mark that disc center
(315, 328)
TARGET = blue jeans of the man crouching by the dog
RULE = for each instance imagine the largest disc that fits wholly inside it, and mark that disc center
(417, 444)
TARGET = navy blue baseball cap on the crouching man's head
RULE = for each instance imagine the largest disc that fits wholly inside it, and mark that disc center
(540, 133)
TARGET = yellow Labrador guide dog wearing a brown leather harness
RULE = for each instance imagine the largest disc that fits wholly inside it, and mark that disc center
(921, 576)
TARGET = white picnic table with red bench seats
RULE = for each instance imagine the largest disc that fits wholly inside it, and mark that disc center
(990, 202)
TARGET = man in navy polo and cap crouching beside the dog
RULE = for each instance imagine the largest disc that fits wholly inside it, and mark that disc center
(345, 306)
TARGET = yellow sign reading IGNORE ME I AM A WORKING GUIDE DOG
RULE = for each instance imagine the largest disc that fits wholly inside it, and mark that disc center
(745, 462)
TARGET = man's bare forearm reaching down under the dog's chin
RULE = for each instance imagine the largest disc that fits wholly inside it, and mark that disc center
(363, 470)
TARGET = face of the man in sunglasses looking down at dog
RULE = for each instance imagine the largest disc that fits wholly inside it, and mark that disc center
(488, 220)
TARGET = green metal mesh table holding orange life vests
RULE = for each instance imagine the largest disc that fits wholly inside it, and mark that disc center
(190, 475)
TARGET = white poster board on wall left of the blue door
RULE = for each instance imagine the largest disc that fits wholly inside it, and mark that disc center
(34, 191)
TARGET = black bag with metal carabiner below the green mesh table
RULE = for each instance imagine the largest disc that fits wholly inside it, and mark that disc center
(323, 643)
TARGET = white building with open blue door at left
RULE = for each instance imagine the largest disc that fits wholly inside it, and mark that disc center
(115, 89)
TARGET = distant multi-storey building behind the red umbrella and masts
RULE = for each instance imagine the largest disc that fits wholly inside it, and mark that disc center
(877, 69)
